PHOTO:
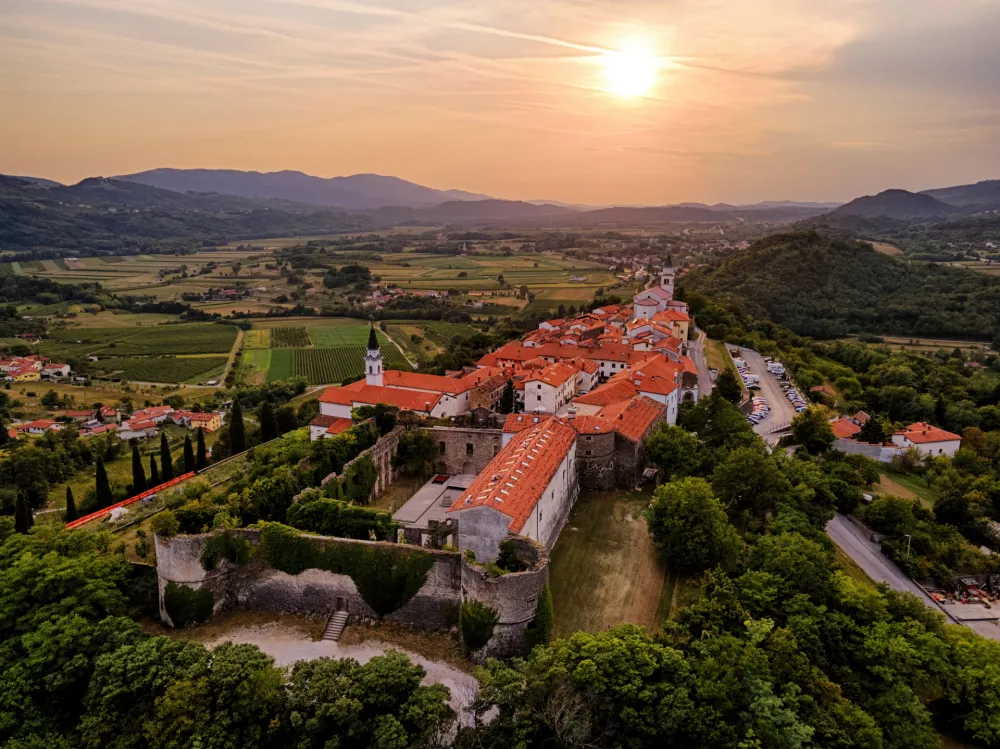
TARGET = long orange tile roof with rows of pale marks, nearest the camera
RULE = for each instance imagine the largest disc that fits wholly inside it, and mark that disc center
(514, 481)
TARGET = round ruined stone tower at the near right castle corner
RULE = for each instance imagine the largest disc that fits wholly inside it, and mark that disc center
(514, 598)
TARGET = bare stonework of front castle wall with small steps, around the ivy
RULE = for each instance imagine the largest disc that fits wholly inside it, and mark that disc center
(314, 592)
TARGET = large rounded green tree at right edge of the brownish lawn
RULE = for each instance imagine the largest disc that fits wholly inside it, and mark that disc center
(690, 526)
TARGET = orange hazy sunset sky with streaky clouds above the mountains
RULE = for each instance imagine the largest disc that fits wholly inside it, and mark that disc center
(740, 101)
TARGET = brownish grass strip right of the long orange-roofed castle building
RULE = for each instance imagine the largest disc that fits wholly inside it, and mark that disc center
(605, 569)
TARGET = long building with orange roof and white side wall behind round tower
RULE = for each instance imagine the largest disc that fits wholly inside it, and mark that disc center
(528, 489)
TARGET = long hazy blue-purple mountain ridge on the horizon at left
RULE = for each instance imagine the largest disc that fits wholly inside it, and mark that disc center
(357, 192)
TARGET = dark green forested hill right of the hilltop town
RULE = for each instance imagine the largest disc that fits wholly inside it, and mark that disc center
(825, 287)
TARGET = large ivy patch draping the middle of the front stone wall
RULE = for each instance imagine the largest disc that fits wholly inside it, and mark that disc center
(386, 577)
